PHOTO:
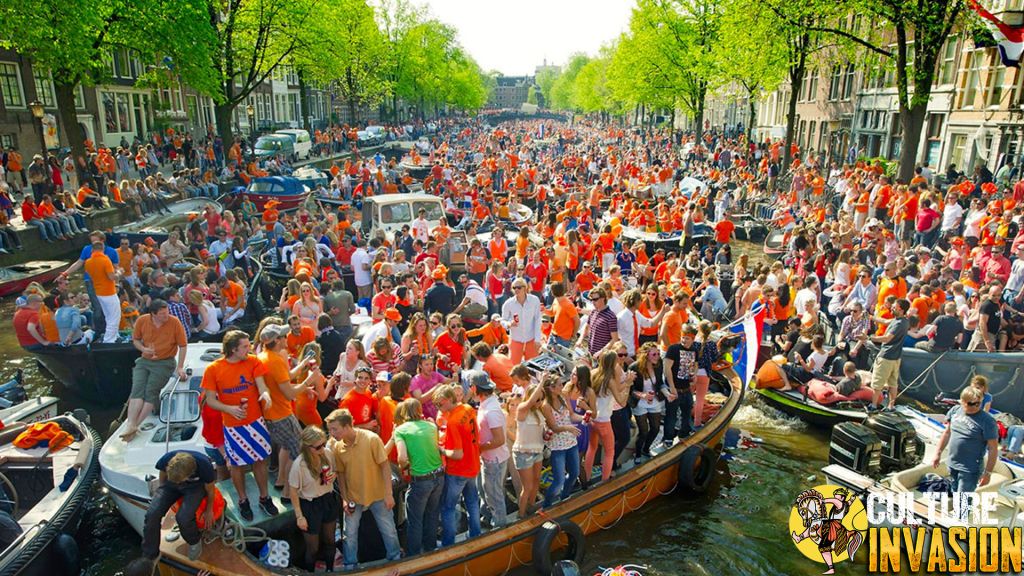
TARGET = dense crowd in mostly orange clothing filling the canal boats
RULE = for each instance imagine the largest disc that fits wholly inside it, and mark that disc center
(439, 388)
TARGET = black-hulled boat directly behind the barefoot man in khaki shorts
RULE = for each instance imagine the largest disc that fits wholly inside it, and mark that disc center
(102, 374)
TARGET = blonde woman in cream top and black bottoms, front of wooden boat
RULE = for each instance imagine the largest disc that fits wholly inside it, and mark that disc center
(312, 480)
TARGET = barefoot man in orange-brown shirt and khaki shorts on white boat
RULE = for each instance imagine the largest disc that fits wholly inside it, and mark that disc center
(159, 337)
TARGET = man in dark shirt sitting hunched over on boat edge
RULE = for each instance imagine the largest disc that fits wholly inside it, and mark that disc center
(190, 477)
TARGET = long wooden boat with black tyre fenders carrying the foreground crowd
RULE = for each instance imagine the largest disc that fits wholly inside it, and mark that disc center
(530, 541)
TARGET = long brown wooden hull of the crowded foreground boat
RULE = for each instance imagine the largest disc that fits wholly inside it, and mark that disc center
(498, 552)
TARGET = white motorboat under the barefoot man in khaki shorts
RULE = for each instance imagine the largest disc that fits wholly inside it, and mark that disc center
(129, 469)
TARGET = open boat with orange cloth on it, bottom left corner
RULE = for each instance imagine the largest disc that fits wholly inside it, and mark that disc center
(49, 518)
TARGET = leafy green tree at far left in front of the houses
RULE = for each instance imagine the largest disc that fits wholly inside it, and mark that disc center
(71, 38)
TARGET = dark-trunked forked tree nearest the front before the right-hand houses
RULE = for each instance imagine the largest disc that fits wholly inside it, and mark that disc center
(923, 25)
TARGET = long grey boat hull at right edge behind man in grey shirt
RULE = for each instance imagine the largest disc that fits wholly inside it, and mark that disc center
(932, 375)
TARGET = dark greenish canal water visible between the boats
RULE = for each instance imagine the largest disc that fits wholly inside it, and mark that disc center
(740, 526)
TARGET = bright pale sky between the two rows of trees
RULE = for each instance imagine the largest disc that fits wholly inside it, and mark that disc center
(516, 37)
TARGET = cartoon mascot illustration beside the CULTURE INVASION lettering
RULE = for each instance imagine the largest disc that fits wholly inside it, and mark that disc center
(827, 530)
